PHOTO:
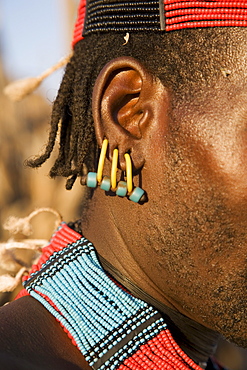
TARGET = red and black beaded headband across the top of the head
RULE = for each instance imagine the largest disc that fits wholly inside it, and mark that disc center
(96, 16)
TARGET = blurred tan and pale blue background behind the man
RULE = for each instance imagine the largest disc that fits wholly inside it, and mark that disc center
(34, 35)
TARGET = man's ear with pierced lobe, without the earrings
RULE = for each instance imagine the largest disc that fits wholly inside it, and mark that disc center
(124, 103)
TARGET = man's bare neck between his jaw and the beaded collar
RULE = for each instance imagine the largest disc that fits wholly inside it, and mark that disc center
(100, 227)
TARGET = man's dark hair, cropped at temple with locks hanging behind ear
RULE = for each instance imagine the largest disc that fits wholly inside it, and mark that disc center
(185, 61)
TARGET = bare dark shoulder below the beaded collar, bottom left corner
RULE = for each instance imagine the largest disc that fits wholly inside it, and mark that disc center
(35, 340)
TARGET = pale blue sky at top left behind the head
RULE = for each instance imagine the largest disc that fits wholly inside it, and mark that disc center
(34, 35)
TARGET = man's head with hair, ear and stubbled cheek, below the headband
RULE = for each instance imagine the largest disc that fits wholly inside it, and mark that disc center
(177, 102)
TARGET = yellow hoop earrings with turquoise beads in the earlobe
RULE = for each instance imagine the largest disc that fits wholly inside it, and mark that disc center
(122, 188)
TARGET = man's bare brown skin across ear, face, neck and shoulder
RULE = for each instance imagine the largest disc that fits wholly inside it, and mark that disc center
(186, 246)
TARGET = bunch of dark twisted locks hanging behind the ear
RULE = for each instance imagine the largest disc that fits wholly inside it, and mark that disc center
(70, 121)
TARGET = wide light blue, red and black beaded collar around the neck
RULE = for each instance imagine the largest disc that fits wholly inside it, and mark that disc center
(112, 329)
